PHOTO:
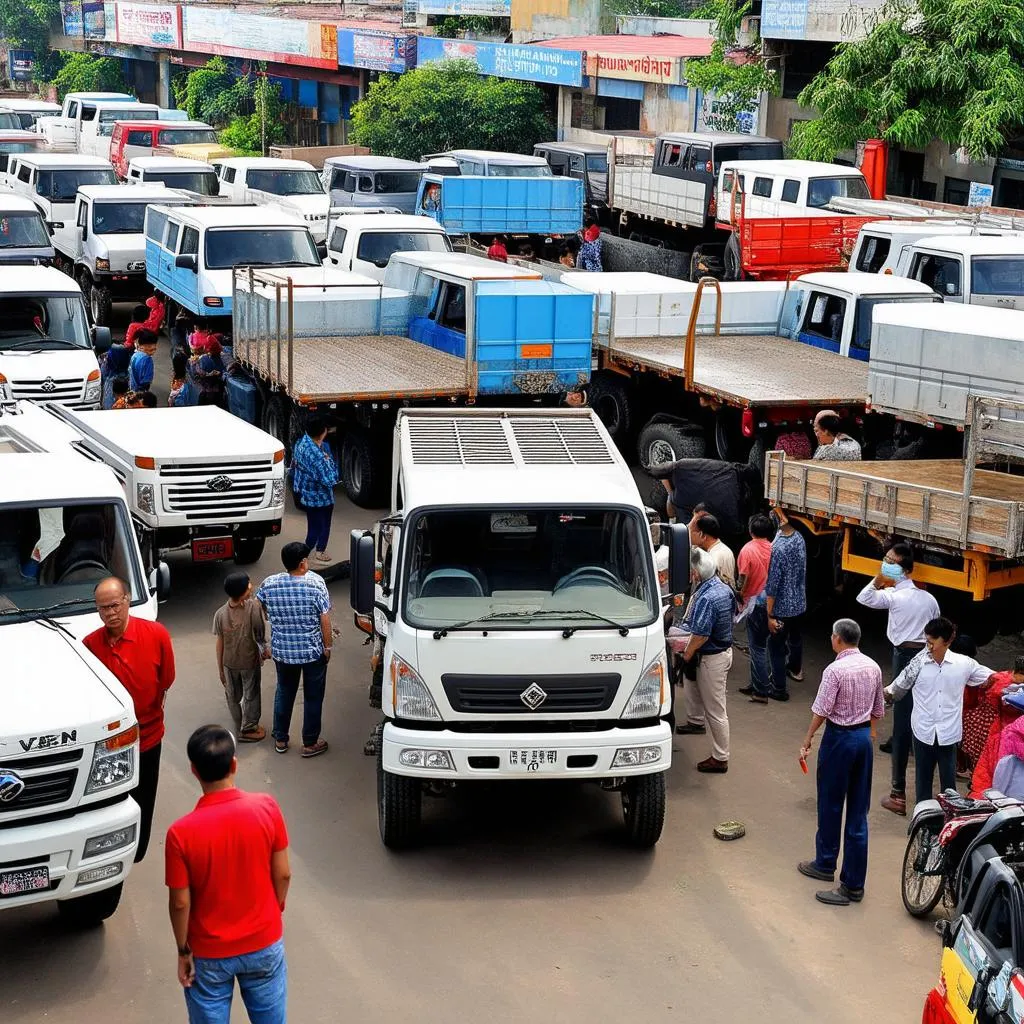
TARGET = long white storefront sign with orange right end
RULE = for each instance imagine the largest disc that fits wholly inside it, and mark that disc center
(285, 40)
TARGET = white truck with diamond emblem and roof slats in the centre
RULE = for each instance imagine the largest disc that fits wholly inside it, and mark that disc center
(518, 613)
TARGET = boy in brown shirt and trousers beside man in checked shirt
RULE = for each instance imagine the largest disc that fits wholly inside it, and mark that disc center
(241, 632)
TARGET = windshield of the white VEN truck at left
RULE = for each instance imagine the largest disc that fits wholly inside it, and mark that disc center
(52, 559)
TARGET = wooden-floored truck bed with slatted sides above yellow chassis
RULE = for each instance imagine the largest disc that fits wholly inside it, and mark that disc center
(923, 500)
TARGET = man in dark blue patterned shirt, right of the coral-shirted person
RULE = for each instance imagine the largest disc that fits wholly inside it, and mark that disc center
(786, 603)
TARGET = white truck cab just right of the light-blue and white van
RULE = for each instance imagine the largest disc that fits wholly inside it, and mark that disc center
(365, 243)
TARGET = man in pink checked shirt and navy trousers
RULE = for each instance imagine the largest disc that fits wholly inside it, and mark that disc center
(849, 699)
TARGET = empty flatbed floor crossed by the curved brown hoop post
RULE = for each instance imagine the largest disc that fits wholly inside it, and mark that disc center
(749, 370)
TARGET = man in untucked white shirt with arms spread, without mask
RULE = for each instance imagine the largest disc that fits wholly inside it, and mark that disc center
(938, 678)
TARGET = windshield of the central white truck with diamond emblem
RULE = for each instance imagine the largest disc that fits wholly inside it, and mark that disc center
(530, 569)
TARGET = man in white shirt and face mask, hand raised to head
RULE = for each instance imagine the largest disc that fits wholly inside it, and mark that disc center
(910, 611)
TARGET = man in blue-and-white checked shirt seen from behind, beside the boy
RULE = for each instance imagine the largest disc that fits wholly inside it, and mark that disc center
(297, 604)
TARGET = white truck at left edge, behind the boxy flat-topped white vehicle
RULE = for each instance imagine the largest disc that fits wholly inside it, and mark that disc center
(48, 349)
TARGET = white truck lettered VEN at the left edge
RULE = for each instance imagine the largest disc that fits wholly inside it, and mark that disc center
(69, 737)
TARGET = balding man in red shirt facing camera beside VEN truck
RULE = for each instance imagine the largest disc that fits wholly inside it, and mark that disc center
(139, 654)
